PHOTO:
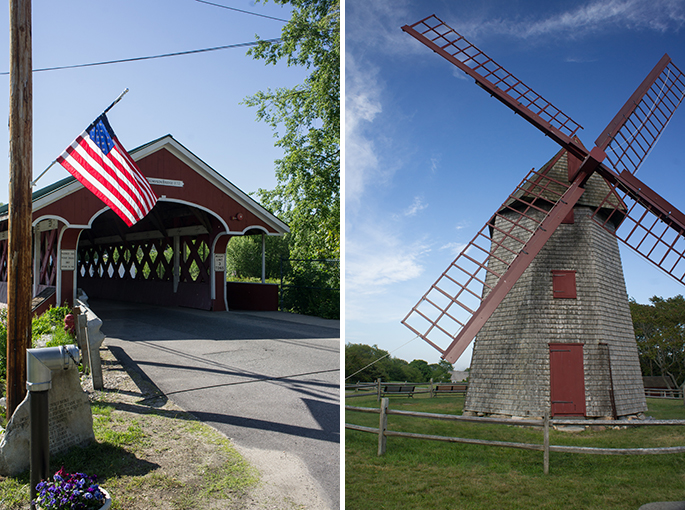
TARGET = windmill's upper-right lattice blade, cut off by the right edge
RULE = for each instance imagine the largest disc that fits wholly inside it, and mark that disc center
(637, 126)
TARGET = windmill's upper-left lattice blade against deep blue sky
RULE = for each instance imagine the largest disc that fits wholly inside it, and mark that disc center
(496, 80)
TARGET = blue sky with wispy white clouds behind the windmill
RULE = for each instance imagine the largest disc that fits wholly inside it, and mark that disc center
(430, 156)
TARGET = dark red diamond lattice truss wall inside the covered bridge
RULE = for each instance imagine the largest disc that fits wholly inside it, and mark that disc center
(147, 260)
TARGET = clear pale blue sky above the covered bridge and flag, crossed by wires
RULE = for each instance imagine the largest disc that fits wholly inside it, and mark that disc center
(195, 98)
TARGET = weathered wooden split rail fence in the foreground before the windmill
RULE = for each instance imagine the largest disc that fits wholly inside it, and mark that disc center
(383, 432)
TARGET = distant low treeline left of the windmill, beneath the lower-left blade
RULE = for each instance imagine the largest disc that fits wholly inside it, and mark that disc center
(358, 356)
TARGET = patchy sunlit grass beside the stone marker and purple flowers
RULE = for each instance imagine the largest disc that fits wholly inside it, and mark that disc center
(119, 459)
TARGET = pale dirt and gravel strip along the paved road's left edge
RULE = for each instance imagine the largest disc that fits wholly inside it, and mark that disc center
(177, 443)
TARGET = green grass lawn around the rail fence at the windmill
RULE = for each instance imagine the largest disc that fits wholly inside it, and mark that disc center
(420, 474)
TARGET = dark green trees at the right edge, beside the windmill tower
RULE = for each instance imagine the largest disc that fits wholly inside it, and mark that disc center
(660, 335)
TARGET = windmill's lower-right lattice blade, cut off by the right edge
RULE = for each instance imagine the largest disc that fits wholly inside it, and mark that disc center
(647, 223)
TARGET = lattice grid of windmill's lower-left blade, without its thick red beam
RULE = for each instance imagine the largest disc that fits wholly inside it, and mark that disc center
(456, 295)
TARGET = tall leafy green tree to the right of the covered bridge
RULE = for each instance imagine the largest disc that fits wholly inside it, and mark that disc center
(307, 195)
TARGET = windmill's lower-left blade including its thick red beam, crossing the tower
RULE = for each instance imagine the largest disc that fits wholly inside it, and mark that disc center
(468, 291)
